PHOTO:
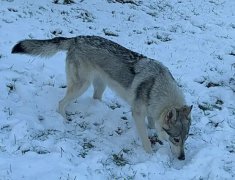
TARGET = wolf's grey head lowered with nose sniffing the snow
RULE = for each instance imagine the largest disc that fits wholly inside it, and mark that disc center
(176, 124)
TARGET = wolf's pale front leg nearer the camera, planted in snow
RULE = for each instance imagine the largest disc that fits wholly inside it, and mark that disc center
(139, 117)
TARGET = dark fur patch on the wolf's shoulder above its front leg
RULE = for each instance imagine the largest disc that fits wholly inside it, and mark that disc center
(144, 89)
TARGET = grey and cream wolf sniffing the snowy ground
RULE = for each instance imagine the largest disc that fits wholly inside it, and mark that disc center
(145, 84)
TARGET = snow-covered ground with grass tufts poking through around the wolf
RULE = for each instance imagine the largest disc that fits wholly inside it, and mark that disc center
(195, 39)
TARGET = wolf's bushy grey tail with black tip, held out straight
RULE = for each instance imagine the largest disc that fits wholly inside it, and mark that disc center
(44, 48)
